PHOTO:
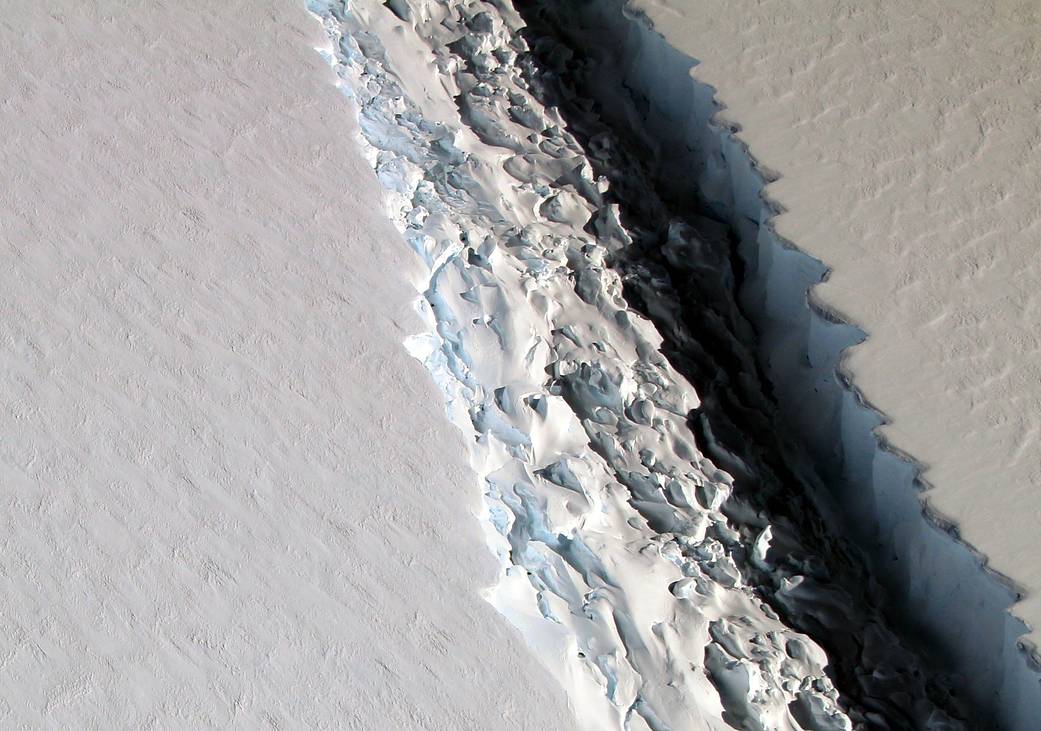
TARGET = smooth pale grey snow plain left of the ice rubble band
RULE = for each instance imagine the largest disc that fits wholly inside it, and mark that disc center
(231, 497)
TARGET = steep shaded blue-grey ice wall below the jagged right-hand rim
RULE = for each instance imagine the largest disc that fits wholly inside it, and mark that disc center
(936, 584)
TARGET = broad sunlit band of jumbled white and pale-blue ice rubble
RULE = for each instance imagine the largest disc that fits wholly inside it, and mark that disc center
(659, 597)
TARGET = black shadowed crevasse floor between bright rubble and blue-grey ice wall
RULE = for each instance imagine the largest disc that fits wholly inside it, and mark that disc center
(682, 271)
